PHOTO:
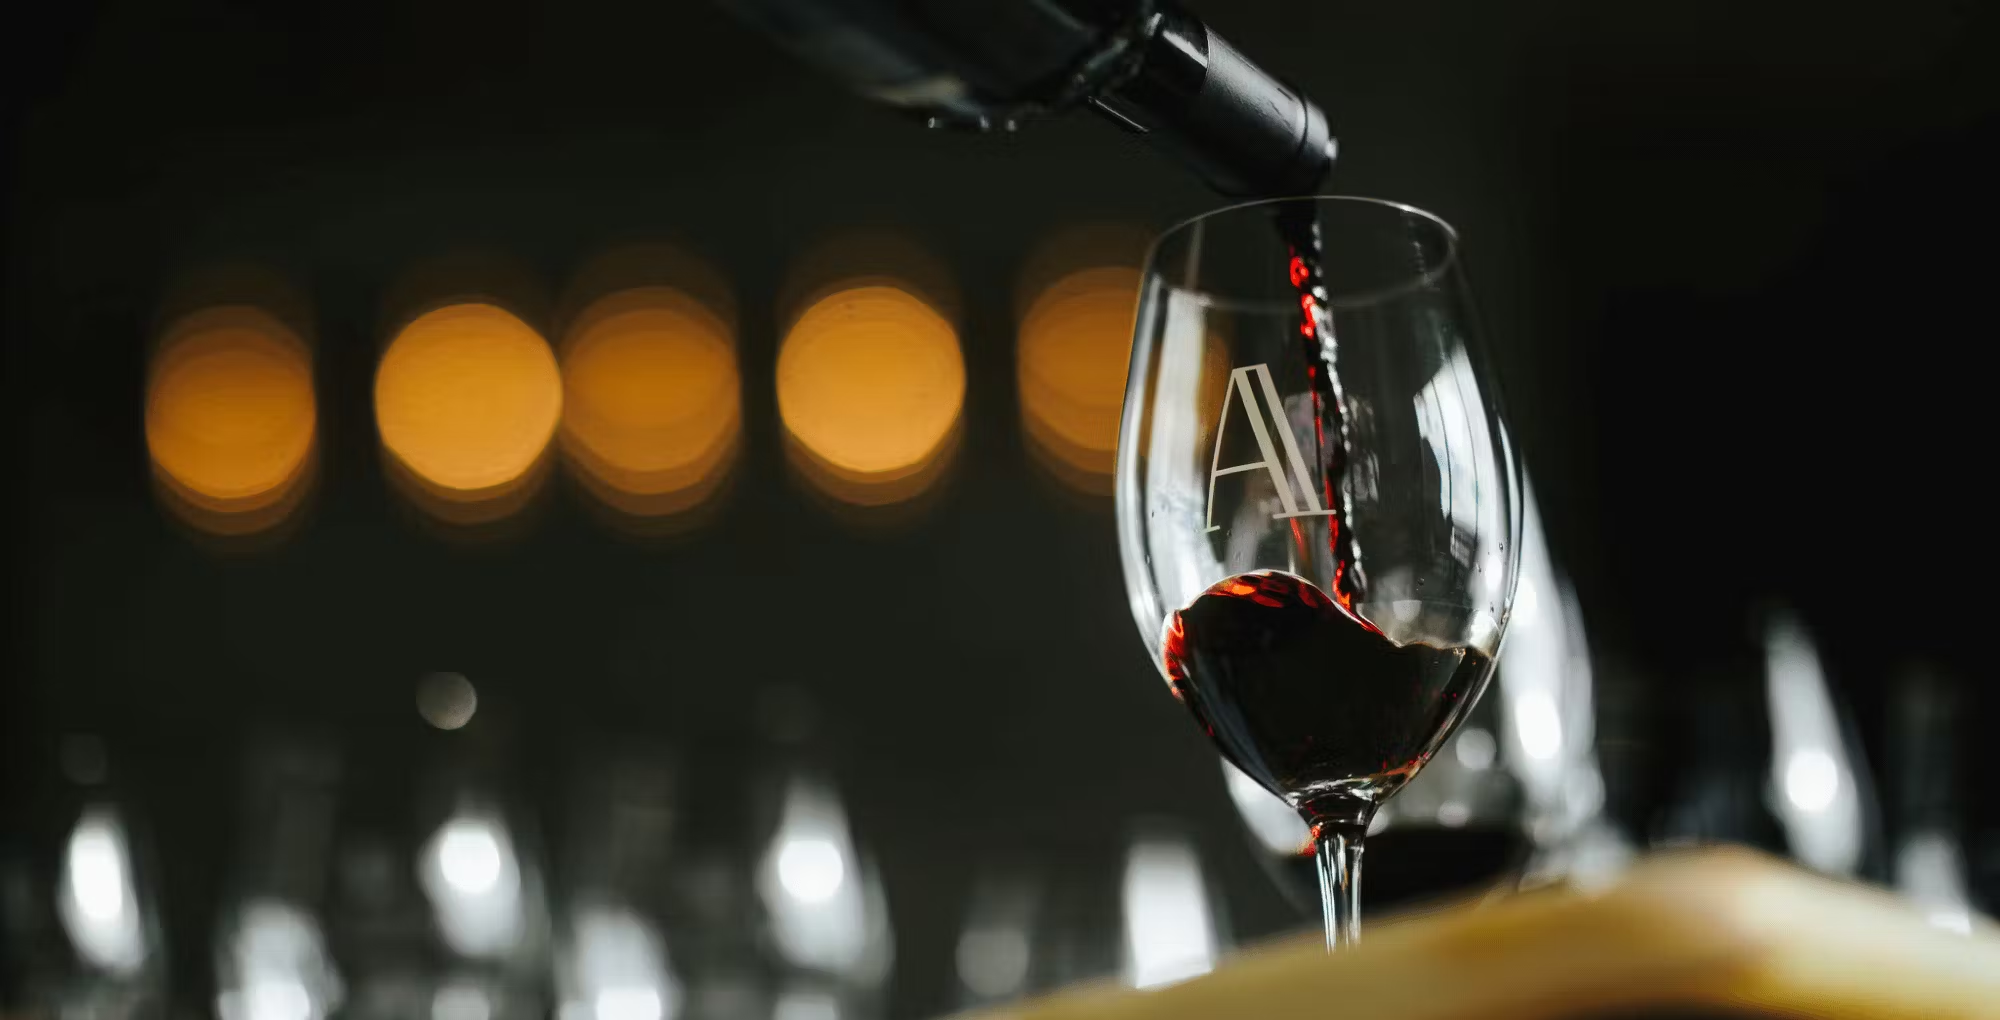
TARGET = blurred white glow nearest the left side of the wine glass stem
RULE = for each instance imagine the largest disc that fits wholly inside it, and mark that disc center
(1169, 931)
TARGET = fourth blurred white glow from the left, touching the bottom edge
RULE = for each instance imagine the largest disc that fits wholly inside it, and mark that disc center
(617, 969)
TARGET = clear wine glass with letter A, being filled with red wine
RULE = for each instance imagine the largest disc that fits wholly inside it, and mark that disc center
(1317, 501)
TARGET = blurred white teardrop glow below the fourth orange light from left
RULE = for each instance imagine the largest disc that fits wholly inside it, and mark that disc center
(825, 909)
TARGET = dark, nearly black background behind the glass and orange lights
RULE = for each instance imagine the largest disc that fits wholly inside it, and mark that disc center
(1735, 261)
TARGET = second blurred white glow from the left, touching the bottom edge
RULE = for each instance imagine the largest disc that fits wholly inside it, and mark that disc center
(275, 967)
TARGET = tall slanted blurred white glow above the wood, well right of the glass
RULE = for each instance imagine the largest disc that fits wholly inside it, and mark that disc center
(1815, 783)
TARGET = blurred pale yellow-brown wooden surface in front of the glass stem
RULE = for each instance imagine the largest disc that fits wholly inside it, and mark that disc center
(1717, 931)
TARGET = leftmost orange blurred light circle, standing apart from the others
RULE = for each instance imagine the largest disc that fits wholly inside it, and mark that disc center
(231, 419)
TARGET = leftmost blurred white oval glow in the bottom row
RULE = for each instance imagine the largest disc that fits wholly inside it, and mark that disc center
(99, 905)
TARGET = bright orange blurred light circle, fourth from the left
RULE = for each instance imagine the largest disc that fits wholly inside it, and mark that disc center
(871, 385)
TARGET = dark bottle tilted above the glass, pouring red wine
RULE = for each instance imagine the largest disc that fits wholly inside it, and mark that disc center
(989, 65)
